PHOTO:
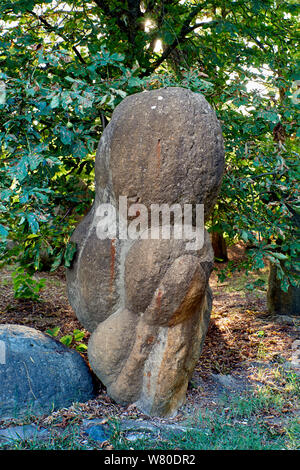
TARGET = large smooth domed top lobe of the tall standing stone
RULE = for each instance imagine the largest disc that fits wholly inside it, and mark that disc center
(162, 146)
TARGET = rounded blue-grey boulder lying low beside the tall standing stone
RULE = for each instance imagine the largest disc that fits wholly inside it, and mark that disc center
(38, 373)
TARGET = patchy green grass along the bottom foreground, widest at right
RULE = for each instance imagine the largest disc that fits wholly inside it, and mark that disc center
(237, 423)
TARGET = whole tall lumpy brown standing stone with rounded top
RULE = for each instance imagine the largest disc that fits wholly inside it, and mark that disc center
(147, 302)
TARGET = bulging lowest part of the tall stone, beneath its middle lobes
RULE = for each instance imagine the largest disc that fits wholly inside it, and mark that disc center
(146, 364)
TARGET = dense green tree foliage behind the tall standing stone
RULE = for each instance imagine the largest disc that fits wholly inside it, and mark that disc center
(66, 65)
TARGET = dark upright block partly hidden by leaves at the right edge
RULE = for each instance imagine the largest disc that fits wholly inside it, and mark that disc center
(280, 302)
